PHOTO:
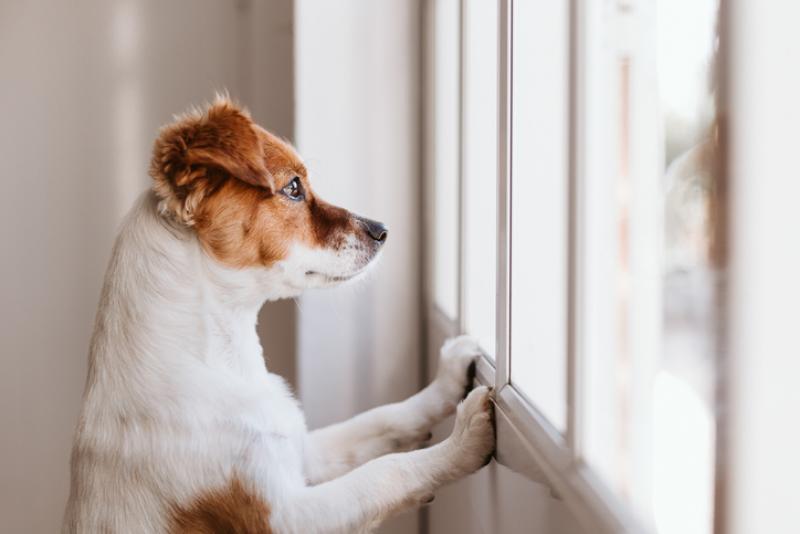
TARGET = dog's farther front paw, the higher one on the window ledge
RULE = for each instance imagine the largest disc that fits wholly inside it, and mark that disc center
(457, 367)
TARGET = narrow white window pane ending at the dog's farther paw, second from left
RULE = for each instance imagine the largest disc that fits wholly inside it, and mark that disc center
(480, 170)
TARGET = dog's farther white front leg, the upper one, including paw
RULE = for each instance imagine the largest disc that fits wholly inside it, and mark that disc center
(403, 426)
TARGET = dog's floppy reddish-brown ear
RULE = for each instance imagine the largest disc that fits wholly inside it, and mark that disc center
(193, 155)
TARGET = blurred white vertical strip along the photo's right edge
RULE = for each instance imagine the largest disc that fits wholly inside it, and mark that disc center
(762, 437)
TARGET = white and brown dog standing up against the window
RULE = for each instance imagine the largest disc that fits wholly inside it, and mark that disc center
(182, 427)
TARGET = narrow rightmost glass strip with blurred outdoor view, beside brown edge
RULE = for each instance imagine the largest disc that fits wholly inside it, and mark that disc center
(683, 392)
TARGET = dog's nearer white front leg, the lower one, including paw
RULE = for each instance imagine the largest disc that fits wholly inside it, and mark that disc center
(361, 499)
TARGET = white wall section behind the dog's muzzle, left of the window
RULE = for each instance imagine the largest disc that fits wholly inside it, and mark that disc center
(357, 76)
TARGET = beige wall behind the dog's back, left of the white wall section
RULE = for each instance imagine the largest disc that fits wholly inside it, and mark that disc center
(84, 87)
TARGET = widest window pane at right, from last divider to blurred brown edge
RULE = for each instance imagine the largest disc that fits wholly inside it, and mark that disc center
(650, 257)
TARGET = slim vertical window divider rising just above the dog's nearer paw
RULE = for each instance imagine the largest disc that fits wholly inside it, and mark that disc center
(504, 185)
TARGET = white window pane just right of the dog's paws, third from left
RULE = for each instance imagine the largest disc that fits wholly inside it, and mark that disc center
(539, 217)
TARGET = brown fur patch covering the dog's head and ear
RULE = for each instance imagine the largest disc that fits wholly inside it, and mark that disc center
(222, 174)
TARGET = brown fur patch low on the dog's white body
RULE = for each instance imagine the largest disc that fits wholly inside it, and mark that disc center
(229, 510)
